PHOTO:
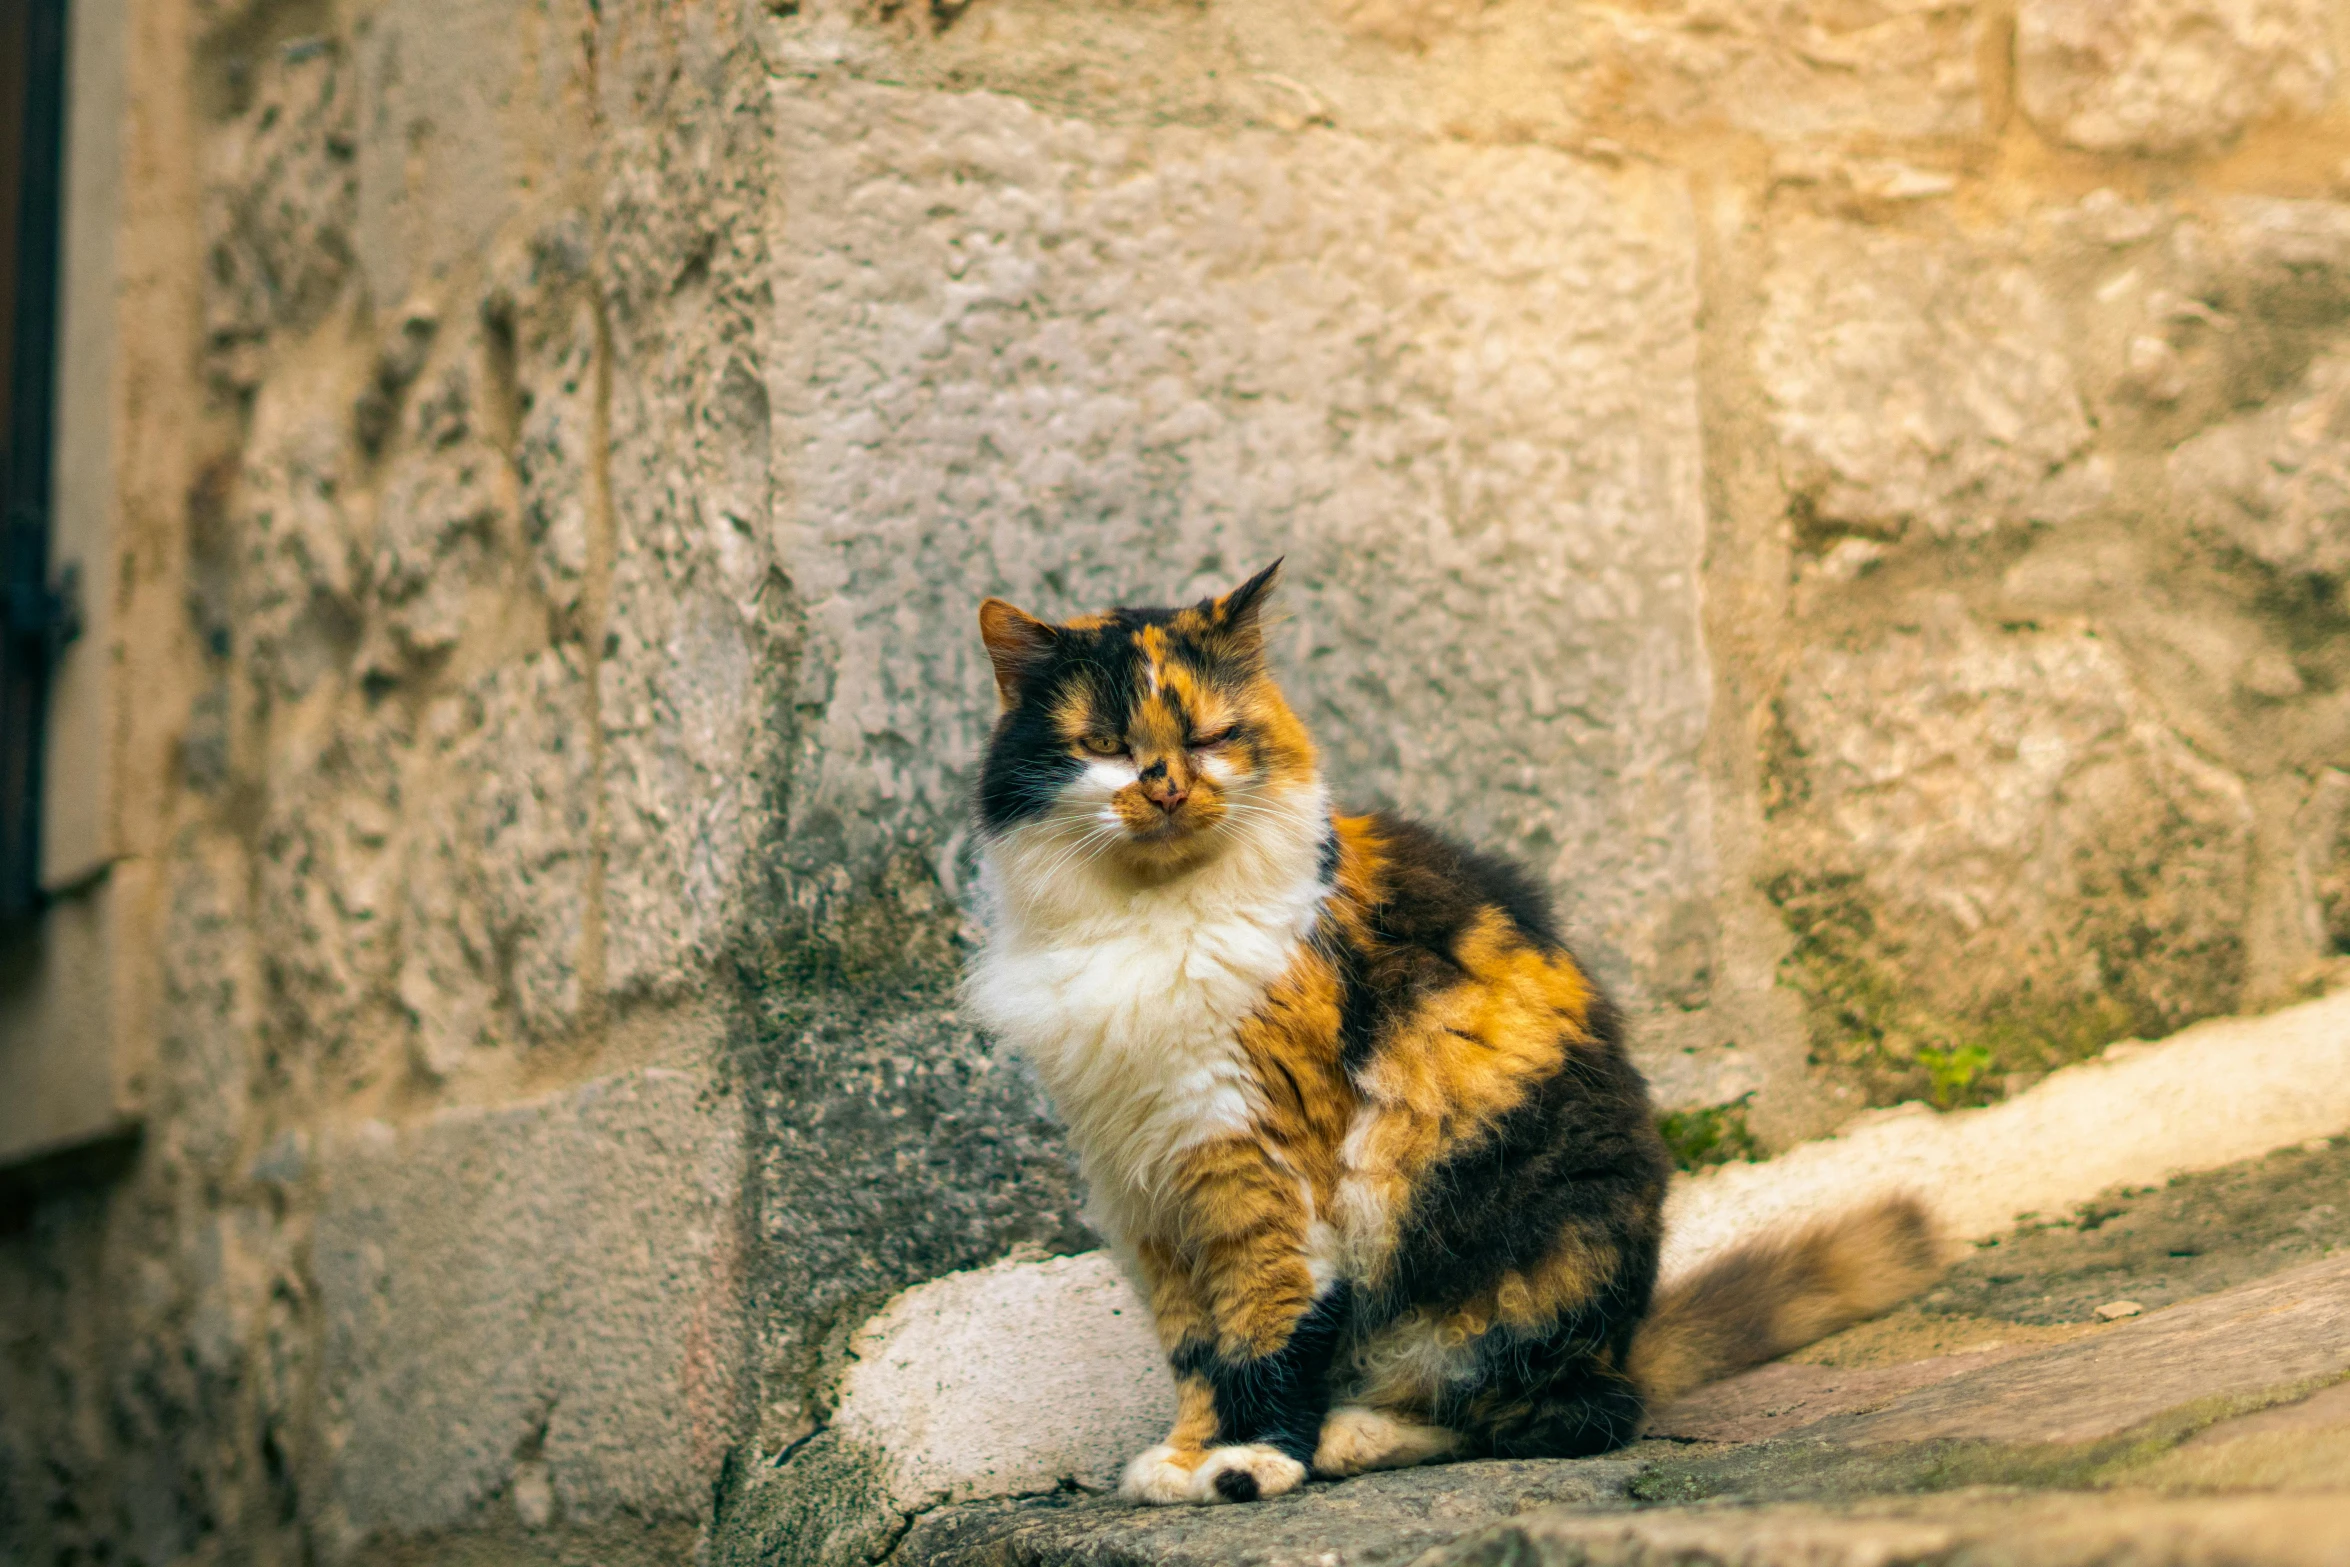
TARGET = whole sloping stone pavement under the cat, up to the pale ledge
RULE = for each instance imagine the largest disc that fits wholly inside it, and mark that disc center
(1996, 1423)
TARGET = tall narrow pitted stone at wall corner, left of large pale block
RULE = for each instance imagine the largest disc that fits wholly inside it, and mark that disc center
(701, 640)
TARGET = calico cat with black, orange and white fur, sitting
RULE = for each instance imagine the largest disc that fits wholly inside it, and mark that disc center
(1350, 1112)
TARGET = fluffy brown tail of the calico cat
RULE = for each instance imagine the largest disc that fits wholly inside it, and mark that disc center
(1780, 1293)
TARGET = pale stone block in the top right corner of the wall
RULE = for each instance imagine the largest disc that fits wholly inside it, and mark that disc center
(2170, 76)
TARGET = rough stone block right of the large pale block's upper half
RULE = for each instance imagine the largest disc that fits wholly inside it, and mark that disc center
(1919, 379)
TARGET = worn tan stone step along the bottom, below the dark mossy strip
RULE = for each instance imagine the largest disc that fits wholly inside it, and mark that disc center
(2210, 1432)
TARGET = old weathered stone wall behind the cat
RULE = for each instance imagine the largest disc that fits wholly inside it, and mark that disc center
(1853, 495)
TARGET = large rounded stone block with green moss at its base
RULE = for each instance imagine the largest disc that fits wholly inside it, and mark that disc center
(1996, 842)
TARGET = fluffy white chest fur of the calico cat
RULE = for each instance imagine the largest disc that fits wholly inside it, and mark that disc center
(1129, 1000)
